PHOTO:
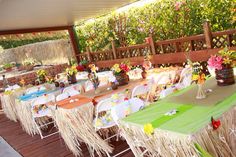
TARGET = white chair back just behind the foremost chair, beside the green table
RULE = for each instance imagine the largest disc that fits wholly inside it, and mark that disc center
(141, 90)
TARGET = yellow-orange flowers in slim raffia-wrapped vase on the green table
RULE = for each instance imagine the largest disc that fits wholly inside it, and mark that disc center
(199, 78)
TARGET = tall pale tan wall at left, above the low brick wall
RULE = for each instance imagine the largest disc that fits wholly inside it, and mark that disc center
(47, 52)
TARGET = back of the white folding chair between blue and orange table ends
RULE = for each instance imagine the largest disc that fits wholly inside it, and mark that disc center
(38, 106)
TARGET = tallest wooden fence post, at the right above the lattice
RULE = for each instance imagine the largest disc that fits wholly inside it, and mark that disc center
(208, 34)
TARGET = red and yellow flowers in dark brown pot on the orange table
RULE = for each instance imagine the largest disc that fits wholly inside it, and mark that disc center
(120, 72)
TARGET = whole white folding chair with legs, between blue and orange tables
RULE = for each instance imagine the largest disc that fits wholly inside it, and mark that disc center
(39, 109)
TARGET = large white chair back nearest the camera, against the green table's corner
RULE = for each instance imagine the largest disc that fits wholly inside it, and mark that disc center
(125, 108)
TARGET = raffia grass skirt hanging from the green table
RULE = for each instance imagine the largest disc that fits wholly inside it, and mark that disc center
(219, 143)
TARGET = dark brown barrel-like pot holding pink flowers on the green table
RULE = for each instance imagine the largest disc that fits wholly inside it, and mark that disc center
(225, 76)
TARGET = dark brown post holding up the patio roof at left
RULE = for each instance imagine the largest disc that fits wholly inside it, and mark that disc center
(73, 39)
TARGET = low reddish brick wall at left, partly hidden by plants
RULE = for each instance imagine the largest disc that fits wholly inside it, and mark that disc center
(30, 77)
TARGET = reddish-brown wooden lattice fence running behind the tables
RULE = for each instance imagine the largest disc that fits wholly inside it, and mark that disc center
(200, 48)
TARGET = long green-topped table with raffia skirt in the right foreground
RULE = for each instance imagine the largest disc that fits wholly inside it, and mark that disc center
(176, 135)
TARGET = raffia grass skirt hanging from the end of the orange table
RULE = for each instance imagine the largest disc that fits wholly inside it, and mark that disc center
(76, 125)
